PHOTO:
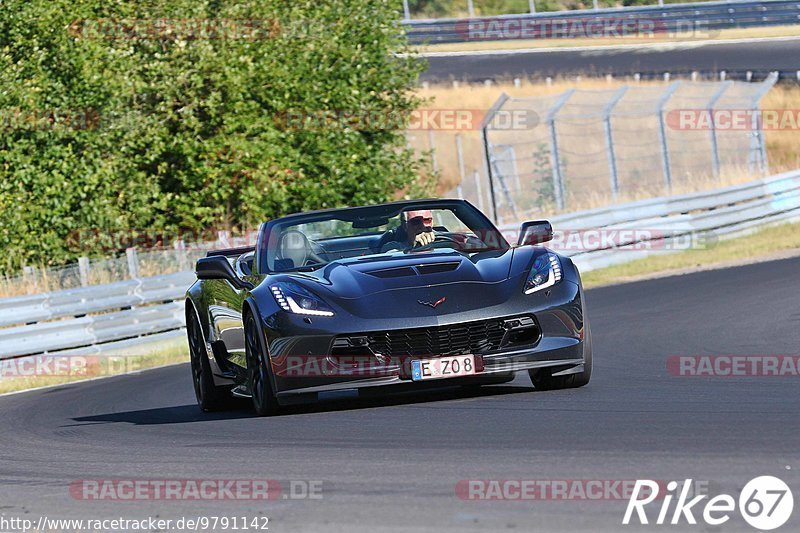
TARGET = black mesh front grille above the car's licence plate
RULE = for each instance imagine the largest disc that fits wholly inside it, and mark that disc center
(469, 338)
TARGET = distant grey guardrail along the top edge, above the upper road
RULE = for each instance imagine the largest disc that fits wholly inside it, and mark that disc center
(706, 17)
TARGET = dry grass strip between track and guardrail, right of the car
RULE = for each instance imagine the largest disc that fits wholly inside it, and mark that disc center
(759, 245)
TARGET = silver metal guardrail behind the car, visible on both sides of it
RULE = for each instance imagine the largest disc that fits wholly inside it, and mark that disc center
(123, 314)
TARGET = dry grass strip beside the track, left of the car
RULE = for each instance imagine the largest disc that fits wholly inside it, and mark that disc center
(92, 366)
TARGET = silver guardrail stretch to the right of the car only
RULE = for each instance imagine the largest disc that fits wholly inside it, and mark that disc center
(672, 224)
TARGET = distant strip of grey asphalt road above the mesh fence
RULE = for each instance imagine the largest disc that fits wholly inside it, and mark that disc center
(758, 56)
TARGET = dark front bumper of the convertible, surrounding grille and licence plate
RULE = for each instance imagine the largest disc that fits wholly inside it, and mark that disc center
(302, 363)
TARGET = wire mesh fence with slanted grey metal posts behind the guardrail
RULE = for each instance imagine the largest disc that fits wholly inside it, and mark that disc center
(582, 149)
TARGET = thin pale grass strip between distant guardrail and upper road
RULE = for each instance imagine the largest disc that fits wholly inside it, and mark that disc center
(518, 44)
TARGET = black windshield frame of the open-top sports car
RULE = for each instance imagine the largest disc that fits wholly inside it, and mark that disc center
(462, 208)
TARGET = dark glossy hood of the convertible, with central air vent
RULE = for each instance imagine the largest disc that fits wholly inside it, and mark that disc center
(394, 285)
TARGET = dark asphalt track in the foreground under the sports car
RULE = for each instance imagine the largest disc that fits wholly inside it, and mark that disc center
(390, 464)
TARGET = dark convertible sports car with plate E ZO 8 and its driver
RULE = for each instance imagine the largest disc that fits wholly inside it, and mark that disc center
(414, 293)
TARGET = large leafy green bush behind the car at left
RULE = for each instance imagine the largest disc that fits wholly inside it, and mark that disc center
(106, 131)
